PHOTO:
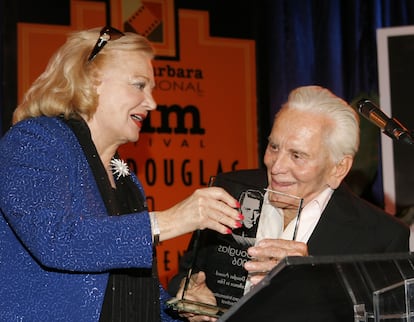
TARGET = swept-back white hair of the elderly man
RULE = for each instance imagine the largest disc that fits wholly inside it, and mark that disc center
(342, 134)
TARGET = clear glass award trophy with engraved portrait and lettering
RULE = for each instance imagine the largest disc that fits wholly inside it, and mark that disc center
(221, 257)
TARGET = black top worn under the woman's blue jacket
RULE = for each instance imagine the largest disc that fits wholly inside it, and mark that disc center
(131, 294)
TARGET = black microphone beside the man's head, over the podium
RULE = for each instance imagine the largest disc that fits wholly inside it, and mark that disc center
(390, 126)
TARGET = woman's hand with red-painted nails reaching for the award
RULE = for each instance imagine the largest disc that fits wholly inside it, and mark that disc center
(211, 208)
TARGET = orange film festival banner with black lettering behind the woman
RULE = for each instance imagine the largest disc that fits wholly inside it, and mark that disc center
(205, 121)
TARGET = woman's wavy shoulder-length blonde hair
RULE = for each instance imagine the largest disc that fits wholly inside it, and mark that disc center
(68, 84)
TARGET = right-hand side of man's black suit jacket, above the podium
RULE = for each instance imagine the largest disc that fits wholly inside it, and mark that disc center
(350, 225)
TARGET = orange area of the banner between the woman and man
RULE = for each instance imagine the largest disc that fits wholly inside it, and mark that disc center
(225, 96)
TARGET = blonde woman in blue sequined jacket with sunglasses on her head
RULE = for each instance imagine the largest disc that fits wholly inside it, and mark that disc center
(76, 238)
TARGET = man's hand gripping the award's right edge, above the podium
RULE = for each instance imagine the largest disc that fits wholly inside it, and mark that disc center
(268, 253)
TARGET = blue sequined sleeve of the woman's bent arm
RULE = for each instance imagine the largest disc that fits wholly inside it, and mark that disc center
(51, 201)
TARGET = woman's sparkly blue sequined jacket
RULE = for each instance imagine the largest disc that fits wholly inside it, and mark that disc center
(57, 241)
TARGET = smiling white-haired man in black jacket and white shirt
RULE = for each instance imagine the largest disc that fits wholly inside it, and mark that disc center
(310, 150)
